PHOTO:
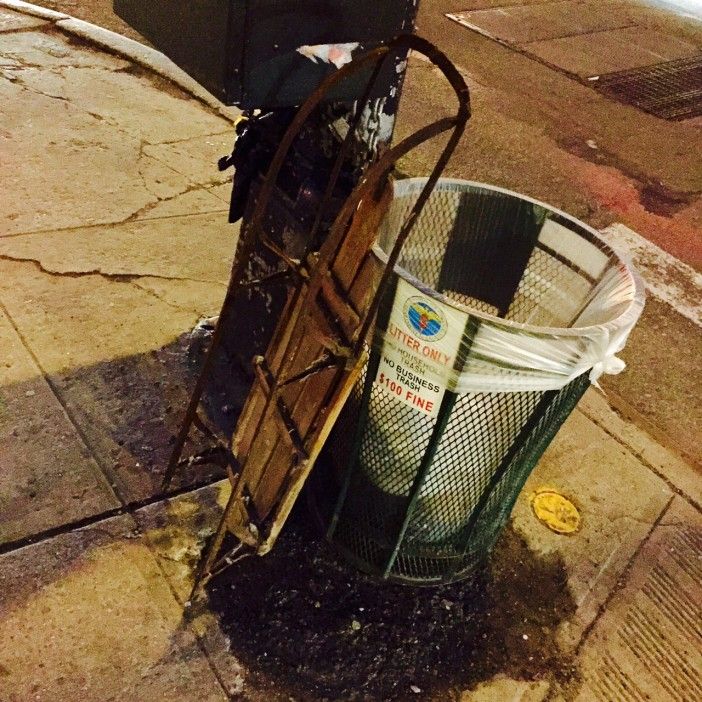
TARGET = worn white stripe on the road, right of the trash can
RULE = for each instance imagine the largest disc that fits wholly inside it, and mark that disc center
(666, 277)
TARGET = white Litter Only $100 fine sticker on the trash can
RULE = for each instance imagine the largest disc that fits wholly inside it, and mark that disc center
(419, 349)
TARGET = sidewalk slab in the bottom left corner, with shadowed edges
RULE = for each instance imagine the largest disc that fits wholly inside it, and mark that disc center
(88, 615)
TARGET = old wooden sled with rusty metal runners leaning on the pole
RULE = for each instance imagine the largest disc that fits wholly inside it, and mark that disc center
(317, 352)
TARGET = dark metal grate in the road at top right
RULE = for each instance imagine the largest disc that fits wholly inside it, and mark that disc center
(671, 90)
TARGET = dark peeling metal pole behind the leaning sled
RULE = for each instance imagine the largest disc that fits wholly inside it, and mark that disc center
(295, 221)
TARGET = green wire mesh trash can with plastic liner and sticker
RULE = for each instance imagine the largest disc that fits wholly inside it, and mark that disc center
(499, 315)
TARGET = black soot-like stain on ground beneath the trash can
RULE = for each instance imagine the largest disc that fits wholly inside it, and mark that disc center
(312, 628)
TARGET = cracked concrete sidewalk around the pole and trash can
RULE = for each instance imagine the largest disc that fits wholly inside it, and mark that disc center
(113, 245)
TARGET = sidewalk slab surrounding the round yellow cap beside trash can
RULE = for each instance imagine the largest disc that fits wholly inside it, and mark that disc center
(580, 464)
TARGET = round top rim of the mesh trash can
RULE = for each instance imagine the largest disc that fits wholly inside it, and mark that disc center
(407, 185)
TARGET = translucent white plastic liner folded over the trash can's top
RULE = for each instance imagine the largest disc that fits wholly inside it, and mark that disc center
(574, 306)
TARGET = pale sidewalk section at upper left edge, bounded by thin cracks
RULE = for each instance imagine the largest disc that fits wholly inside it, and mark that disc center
(41, 141)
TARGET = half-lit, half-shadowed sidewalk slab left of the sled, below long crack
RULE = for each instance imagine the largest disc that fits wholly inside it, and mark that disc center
(116, 352)
